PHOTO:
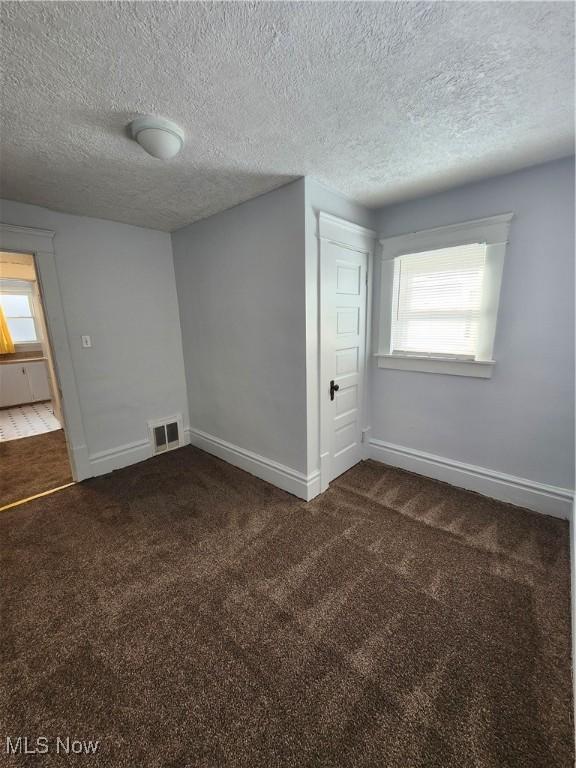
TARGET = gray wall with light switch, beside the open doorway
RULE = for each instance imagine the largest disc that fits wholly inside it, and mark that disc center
(117, 285)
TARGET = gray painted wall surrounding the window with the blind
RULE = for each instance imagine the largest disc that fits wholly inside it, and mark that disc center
(521, 421)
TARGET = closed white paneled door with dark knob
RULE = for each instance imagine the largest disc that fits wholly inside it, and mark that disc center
(344, 273)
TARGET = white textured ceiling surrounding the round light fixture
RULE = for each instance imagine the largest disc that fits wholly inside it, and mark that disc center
(380, 101)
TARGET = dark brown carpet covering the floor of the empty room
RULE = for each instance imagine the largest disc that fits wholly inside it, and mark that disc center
(185, 613)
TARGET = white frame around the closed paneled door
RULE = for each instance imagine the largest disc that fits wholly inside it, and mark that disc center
(346, 234)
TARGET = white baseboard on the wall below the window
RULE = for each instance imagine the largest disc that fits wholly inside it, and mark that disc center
(548, 499)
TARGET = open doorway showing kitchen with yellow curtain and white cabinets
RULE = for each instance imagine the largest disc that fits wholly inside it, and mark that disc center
(33, 449)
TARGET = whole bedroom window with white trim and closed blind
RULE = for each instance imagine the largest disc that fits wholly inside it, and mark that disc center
(439, 298)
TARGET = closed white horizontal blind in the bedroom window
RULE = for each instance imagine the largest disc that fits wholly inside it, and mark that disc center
(437, 302)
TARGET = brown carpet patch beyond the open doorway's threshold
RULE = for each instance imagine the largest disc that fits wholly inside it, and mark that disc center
(32, 465)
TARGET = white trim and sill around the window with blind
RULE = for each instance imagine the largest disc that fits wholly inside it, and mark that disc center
(493, 231)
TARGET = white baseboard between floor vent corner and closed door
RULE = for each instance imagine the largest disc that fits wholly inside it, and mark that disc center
(288, 479)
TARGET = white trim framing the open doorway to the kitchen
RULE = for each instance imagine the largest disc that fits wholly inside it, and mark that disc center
(39, 244)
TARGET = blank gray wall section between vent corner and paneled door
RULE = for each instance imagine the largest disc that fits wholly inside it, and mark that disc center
(241, 286)
